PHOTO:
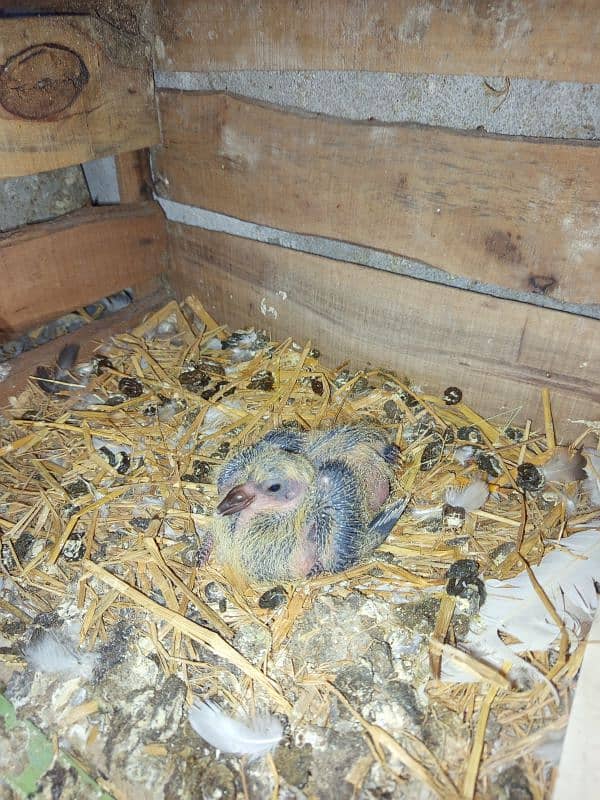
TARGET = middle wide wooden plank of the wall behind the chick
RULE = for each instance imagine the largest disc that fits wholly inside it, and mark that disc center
(518, 213)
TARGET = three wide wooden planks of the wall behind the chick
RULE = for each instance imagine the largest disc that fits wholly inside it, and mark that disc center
(518, 214)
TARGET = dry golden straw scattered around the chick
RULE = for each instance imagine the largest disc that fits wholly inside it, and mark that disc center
(116, 490)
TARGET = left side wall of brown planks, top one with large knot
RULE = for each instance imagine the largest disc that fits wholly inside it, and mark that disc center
(74, 87)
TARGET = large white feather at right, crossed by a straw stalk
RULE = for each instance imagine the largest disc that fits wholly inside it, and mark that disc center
(567, 575)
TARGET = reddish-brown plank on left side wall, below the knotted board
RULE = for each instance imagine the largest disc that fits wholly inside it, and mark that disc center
(54, 267)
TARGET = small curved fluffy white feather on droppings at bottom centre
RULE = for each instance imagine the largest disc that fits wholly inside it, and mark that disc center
(254, 738)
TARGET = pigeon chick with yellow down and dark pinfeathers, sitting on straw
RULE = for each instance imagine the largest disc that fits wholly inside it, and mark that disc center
(297, 504)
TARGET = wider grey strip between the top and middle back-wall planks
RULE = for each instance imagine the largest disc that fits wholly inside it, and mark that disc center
(529, 108)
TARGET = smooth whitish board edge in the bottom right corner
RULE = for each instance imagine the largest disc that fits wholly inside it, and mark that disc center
(579, 770)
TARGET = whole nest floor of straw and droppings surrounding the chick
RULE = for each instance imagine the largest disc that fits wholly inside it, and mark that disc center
(105, 517)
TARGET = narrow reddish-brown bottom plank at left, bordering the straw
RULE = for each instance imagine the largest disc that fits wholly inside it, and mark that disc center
(147, 298)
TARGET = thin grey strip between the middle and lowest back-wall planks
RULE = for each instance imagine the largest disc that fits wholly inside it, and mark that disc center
(355, 254)
